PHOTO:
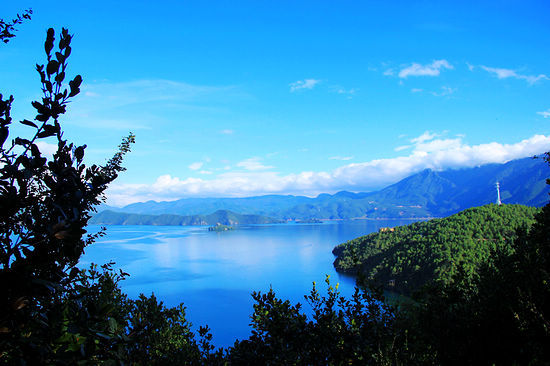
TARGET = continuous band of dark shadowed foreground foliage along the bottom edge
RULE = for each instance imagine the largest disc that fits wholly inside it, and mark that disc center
(499, 316)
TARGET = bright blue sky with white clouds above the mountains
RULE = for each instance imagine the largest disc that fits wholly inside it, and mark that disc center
(292, 97)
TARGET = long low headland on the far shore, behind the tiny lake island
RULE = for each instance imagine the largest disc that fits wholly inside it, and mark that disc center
(221, 216)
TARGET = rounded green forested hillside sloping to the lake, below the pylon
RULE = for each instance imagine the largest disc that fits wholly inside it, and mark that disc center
(407, 257)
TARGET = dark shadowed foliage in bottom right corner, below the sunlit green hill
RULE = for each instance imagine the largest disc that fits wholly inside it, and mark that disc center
(502, 315)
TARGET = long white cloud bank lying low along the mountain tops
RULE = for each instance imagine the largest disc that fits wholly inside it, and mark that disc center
(427, 152)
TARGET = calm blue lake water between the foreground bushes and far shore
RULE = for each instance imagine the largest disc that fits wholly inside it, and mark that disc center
(213, 274)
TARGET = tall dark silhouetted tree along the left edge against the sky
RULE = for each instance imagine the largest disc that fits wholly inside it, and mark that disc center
(45, 205)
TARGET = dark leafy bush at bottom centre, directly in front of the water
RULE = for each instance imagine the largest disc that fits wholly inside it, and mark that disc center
(362, 330)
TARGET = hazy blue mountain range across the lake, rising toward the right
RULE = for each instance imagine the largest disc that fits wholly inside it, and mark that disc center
(422, 195)
